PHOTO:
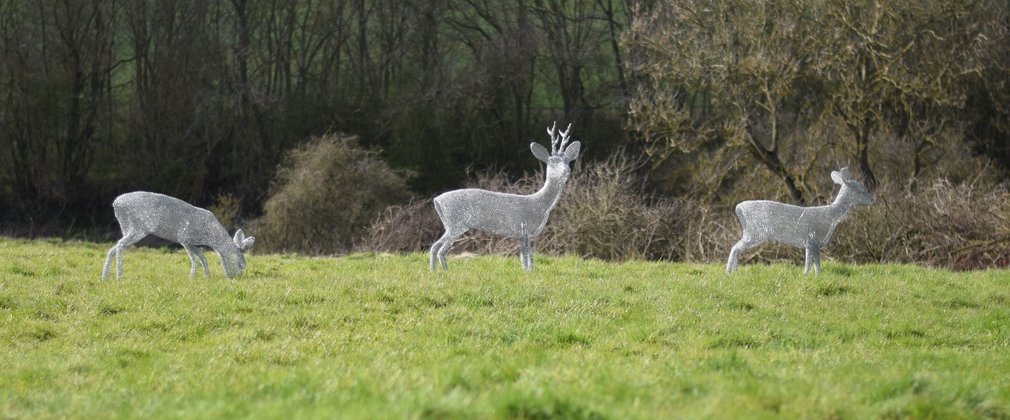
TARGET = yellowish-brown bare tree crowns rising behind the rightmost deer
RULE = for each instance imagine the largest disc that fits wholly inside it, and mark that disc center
(895, 90)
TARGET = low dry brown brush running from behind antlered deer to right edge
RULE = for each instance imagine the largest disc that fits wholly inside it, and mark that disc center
(604, 214)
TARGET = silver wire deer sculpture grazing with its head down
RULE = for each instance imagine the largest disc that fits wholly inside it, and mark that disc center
(142, 214)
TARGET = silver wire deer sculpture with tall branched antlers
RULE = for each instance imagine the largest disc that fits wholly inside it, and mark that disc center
(511, 216)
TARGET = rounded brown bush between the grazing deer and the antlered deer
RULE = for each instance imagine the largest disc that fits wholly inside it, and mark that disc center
(327, 194)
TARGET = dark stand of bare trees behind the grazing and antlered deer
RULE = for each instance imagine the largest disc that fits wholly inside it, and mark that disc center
(198, 98)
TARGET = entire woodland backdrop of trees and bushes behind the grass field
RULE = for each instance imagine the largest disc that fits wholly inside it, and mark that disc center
(327, 127)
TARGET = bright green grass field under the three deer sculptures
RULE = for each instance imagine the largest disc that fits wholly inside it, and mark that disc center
(371, 336)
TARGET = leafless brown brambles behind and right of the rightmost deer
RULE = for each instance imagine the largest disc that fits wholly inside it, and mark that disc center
(958, 227)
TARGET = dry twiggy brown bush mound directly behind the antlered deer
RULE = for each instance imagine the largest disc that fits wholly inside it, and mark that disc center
(603, 214)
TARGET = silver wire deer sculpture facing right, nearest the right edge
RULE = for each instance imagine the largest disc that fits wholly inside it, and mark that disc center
(804, 228)
